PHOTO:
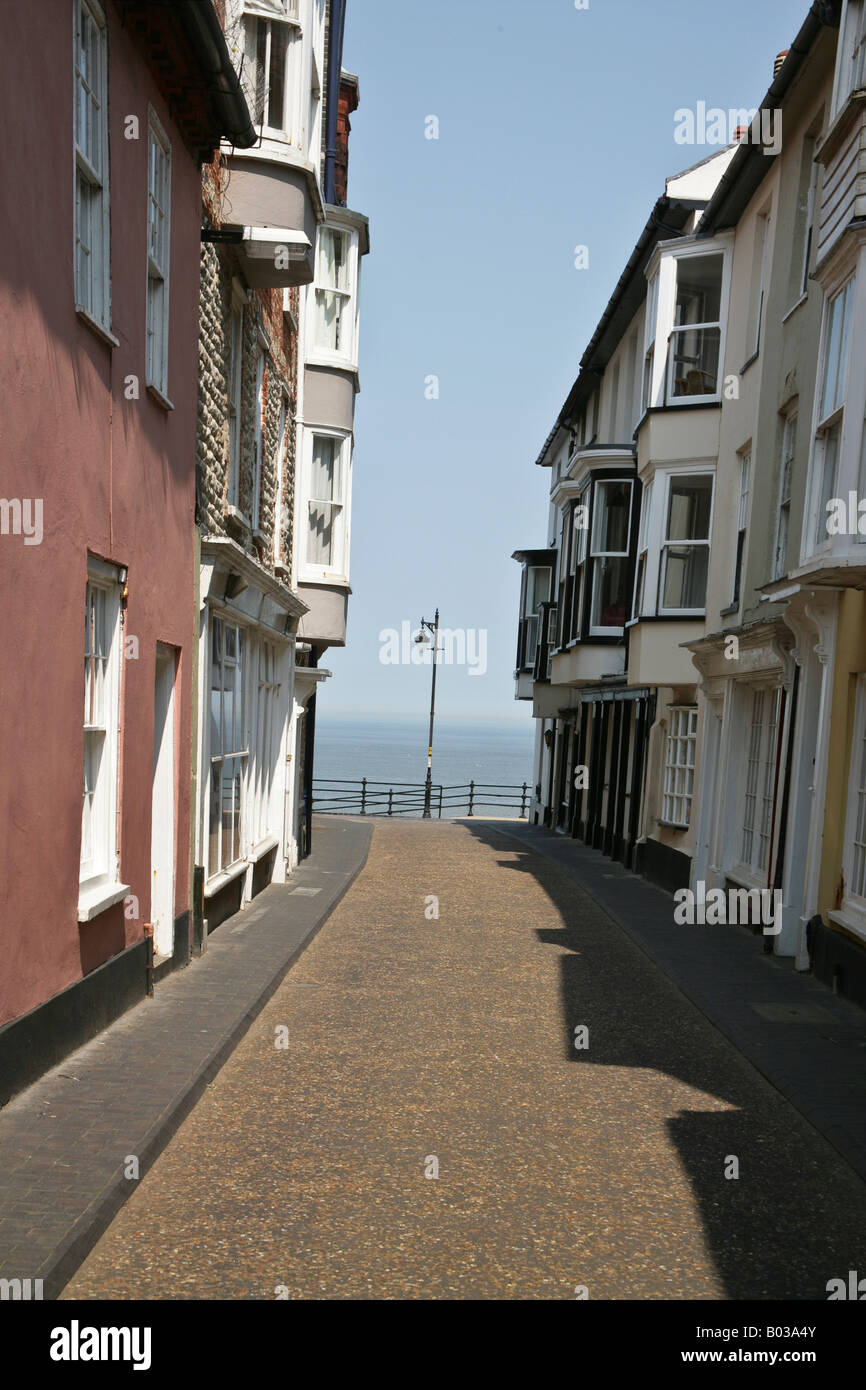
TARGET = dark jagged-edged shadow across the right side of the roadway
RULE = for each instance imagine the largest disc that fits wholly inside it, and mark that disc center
(796, 1216)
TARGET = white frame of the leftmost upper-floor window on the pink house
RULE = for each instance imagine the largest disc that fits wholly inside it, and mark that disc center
(94, 297)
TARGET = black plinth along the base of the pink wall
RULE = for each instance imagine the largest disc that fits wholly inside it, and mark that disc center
(40, 1040)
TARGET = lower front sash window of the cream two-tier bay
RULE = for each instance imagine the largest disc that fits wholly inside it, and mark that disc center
(686, 544)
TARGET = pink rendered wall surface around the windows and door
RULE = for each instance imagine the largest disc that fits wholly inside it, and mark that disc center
(117, 479)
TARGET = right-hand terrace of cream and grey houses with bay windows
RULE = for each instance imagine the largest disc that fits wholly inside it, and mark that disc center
(697, 643)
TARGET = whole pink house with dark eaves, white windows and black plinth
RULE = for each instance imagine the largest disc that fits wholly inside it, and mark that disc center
(101, 372)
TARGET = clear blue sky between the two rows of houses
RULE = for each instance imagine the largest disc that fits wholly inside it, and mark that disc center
(555, 130)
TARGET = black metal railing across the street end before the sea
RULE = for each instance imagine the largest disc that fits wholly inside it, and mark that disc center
(334, 797)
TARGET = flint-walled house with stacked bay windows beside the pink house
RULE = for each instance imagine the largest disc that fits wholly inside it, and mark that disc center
(279, 352)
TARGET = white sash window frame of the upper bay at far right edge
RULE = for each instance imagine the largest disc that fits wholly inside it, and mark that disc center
(829, 422)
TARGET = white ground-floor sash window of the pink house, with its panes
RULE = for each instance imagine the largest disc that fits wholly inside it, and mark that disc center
(102, 657)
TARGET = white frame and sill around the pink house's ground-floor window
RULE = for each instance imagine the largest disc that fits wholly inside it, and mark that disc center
(99, 872)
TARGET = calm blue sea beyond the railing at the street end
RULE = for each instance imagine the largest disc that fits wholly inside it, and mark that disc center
(395, 751)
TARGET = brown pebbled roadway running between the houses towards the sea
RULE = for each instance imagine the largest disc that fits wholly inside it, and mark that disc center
(416, 1043)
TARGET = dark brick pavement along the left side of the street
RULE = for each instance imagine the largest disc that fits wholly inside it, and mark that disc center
(66, 1143)
